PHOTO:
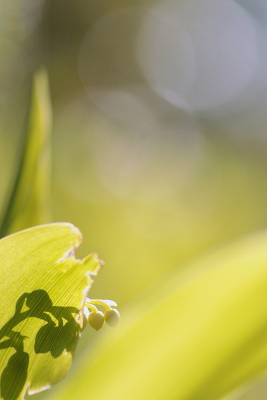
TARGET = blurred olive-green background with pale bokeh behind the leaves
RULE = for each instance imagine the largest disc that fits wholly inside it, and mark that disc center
(159, 138)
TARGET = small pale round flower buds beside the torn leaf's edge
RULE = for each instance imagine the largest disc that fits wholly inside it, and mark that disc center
(96, 318)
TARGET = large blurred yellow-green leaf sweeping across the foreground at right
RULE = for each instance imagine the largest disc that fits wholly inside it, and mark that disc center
(198, 334)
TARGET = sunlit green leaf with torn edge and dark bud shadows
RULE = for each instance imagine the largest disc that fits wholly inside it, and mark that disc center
(43, 290)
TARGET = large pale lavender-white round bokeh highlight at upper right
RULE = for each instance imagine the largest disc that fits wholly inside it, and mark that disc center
(203, 53)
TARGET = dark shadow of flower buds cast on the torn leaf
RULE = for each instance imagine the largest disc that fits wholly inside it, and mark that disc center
(59, 334)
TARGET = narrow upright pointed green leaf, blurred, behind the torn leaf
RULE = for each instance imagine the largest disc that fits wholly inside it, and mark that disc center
(28, 202)
